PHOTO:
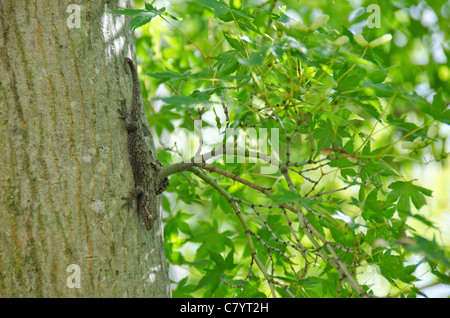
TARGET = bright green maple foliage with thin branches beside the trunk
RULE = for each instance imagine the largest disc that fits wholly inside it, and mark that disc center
(341, 203)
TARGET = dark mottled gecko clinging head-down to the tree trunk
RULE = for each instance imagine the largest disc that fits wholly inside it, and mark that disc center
(143, 162)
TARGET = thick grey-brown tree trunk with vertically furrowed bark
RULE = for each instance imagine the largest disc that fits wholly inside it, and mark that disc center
(64, 163)
